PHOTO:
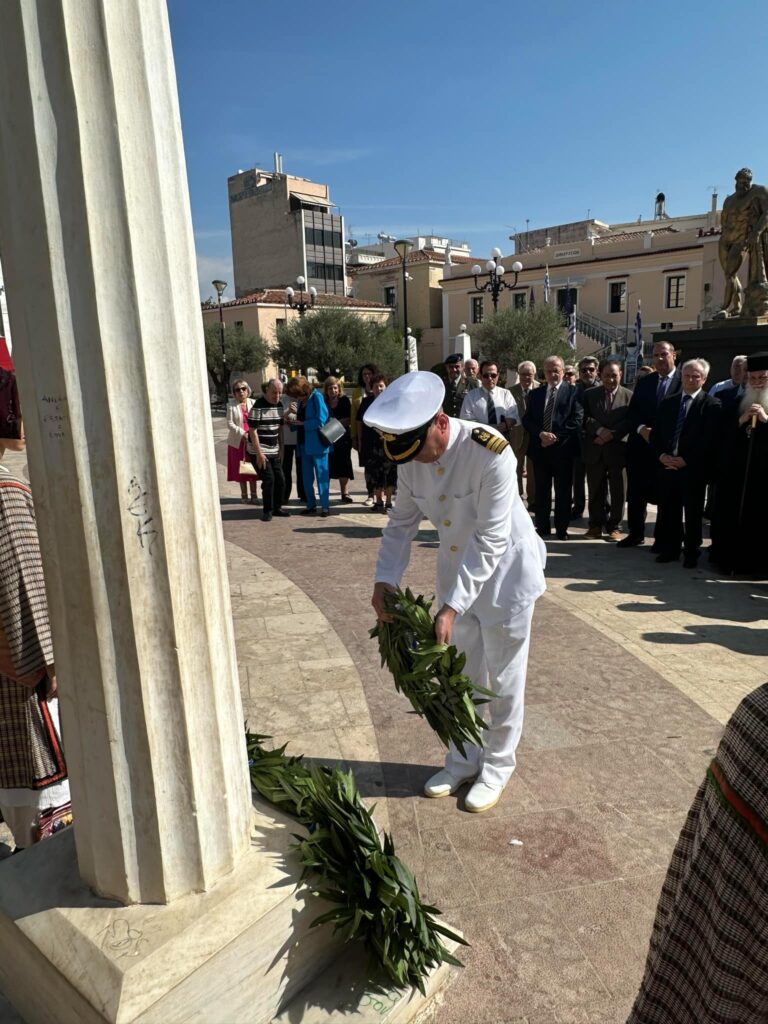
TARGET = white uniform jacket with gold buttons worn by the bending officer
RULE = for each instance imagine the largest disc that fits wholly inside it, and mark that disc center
(491, 561)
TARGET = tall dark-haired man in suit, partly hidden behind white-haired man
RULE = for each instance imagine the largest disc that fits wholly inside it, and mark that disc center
(642, 470)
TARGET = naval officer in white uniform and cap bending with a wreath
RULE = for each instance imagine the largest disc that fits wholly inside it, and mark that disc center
(462, 477)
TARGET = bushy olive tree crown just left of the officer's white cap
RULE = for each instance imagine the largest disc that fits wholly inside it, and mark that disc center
(335, 342)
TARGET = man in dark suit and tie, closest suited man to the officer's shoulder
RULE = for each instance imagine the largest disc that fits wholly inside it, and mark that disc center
(553, 421)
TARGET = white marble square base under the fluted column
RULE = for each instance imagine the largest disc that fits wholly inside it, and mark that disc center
(239, 954)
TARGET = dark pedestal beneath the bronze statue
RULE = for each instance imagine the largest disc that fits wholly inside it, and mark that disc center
(718, 343)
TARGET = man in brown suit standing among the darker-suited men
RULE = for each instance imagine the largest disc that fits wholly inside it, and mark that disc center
(607, 423)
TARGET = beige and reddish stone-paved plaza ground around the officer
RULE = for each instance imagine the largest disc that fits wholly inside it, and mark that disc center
(634, 670)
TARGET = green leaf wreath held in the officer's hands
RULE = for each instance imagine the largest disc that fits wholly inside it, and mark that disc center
(432, 675)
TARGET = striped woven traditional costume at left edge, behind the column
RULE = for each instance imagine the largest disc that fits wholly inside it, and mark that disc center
(33, 774)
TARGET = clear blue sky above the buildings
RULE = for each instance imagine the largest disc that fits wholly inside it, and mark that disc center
(467, 119)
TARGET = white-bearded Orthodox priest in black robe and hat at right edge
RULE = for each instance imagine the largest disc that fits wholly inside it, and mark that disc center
(740, 518)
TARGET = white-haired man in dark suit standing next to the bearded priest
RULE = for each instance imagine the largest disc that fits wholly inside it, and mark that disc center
(684, 443)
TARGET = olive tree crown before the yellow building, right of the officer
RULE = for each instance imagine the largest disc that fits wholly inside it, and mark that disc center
(514, 335)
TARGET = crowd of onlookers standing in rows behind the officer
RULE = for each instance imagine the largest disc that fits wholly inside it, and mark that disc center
(583, 442)
